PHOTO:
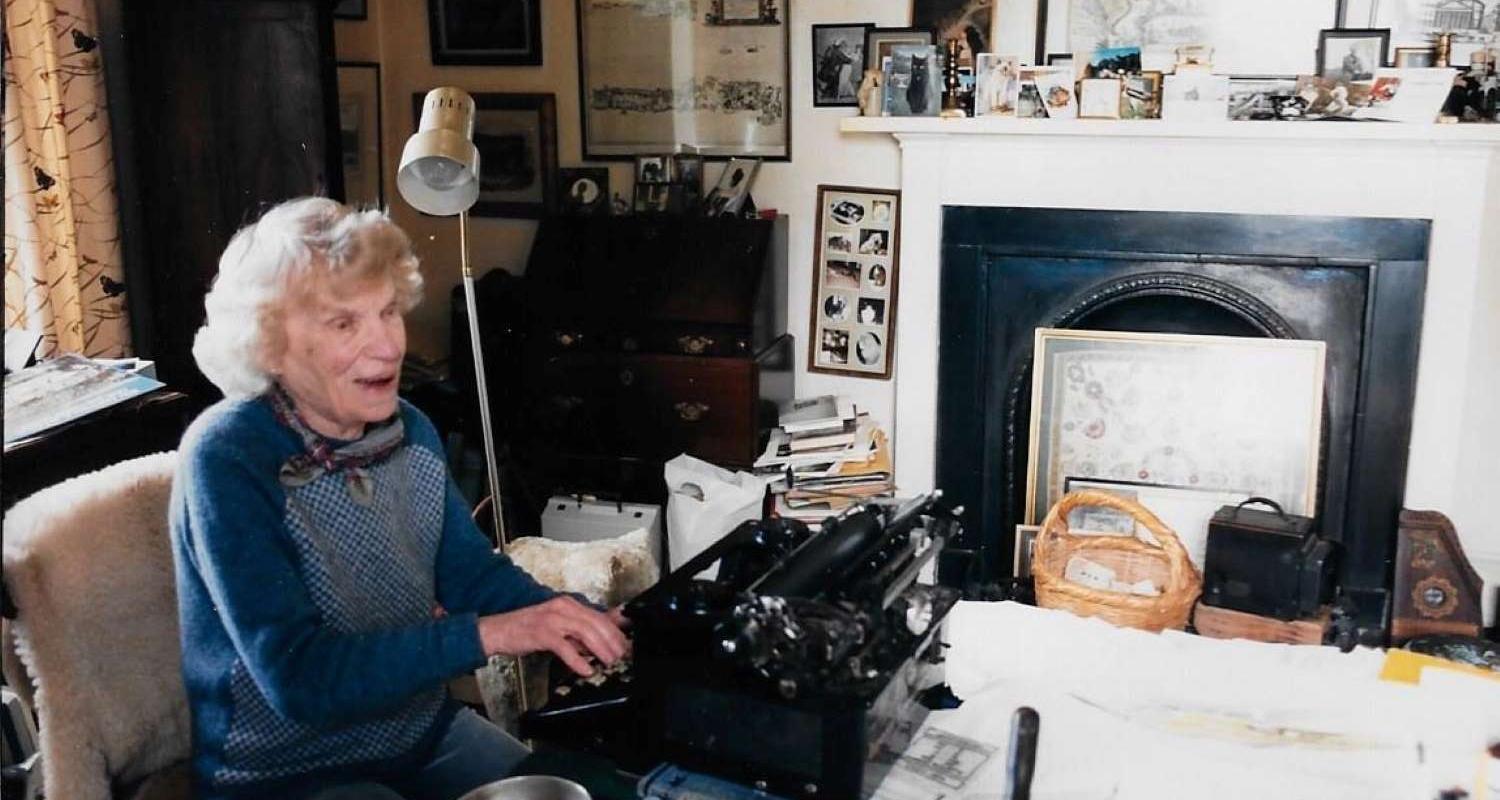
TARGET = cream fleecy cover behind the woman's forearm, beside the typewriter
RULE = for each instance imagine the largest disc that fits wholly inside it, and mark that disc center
(607, 571)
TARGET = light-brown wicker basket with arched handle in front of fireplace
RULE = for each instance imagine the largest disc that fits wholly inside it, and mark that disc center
(1132, 559)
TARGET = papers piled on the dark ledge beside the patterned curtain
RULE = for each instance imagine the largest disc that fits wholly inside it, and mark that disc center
(64, 389)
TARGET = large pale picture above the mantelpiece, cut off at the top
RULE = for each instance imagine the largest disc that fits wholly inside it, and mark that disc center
(1249, 37)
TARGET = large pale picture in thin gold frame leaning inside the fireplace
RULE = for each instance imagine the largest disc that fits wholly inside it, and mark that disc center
(1175, 411)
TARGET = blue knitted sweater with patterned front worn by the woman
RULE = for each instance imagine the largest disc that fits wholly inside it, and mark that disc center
(310, 643)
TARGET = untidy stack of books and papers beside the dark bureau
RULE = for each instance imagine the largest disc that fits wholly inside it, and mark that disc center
(824, 459)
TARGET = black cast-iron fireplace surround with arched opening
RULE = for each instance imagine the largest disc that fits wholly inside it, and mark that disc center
(1354, 283)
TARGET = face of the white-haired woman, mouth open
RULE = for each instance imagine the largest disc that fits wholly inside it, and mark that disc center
(343, 358)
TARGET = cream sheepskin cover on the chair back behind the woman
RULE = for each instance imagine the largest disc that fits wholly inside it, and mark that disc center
(91, 568)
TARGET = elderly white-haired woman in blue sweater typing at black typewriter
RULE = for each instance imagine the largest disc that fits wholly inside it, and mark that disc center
(329, 576)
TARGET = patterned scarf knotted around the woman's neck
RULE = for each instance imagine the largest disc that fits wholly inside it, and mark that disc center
(326, 456)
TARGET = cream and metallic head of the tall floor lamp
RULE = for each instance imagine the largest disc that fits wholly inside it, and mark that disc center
(439, 172)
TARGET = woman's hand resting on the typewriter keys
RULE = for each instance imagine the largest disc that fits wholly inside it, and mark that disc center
(563, 627)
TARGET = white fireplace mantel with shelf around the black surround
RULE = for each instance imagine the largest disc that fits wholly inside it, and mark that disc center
(1445, 173)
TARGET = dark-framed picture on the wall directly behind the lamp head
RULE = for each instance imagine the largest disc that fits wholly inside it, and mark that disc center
(518, 154)
